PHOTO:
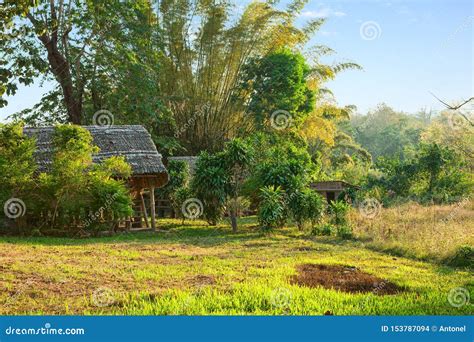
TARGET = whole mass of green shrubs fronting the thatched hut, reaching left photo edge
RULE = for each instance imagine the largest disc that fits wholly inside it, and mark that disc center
(73, 187)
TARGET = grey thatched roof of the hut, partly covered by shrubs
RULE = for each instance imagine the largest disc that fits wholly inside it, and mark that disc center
(133, 142)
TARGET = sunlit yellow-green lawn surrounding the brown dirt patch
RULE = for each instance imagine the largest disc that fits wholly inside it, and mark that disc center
(197, 270)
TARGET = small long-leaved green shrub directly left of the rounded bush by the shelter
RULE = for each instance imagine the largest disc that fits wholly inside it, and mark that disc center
(272, 207)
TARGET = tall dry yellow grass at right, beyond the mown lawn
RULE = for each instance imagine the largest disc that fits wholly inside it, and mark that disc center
(428, 232)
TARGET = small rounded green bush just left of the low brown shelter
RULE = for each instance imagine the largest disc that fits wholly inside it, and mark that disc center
(306, 206)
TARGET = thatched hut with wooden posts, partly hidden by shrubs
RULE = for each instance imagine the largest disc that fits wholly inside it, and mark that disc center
(134, 143)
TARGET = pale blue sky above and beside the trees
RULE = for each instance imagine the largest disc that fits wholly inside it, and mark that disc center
(408, 49)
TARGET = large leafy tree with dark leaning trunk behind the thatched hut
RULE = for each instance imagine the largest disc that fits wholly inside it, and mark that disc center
(90, 50)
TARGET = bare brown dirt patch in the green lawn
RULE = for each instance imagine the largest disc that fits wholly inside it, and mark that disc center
(343, 278)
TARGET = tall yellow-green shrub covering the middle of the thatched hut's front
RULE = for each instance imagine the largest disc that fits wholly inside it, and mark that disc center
(76, 187)
